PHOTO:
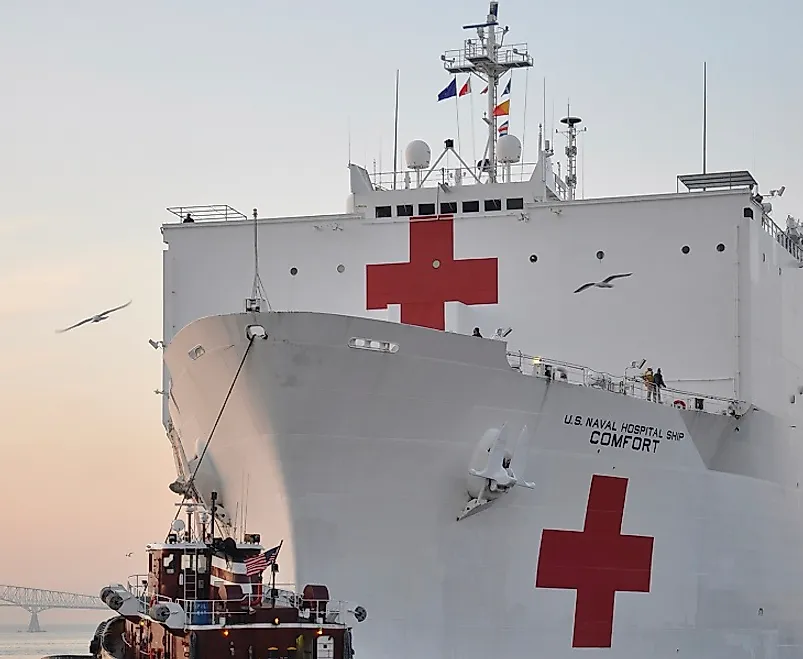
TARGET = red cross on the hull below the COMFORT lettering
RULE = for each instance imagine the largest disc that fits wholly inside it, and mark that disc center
(596, 562)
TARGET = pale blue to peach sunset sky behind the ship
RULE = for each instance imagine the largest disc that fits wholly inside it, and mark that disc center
(111, 112)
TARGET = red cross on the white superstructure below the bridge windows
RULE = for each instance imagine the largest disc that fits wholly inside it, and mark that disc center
(432, 277)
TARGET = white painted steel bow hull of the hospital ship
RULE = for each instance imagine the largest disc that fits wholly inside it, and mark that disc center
(359, 461)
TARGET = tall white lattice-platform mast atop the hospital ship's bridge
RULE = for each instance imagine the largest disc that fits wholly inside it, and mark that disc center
(488, 59)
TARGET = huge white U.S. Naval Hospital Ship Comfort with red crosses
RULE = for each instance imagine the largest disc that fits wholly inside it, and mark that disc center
(489, 496)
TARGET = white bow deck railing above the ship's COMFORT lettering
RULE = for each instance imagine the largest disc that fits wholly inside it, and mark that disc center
(635, 386)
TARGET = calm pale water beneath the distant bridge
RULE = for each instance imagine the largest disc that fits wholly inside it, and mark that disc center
(16, 643)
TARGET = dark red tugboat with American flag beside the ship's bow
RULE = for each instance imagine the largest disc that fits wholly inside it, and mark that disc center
(203, 598)
